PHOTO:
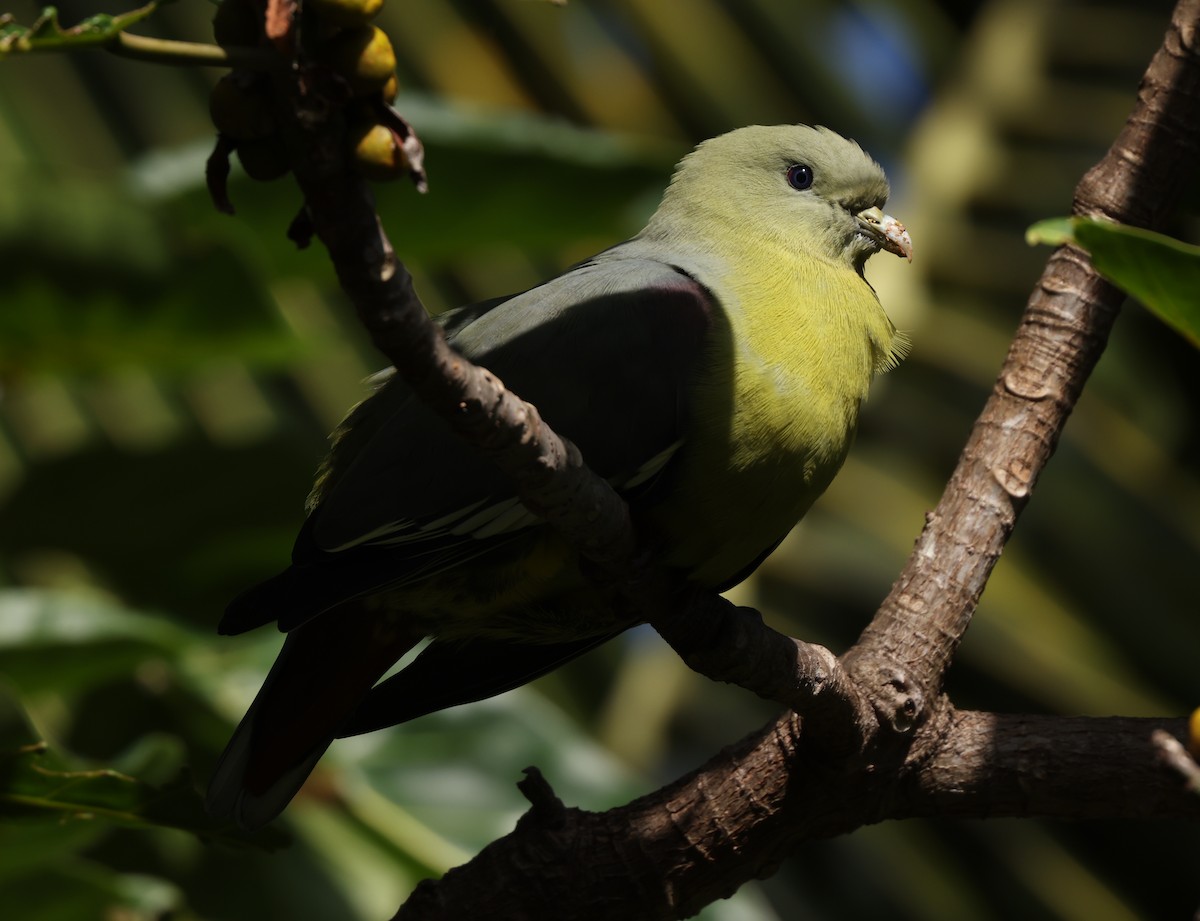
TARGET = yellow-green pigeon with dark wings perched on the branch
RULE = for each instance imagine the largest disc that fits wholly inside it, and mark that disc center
(711, 369)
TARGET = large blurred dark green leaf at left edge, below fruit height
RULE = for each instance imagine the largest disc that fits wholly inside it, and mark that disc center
(145, 291)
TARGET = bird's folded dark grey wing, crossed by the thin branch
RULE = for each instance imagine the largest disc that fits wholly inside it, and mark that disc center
(604, 352)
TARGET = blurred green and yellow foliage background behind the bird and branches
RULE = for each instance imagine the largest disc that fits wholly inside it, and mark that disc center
(170, 376)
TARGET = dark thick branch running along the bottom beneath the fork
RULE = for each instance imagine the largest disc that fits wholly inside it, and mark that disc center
(669, 854)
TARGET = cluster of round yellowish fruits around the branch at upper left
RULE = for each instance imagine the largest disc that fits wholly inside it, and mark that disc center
(357, 52)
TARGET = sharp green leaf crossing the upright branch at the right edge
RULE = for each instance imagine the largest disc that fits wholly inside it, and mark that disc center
(1162, 273)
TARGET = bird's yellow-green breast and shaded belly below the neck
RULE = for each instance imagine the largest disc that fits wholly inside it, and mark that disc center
(773, 412)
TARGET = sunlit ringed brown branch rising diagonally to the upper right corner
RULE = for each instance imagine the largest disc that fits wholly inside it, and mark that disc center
(1063, 334)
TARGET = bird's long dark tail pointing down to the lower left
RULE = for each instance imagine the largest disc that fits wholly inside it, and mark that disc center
(326, 670)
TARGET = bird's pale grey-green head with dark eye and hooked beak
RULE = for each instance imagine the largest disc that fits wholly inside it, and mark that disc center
(811, 189)
